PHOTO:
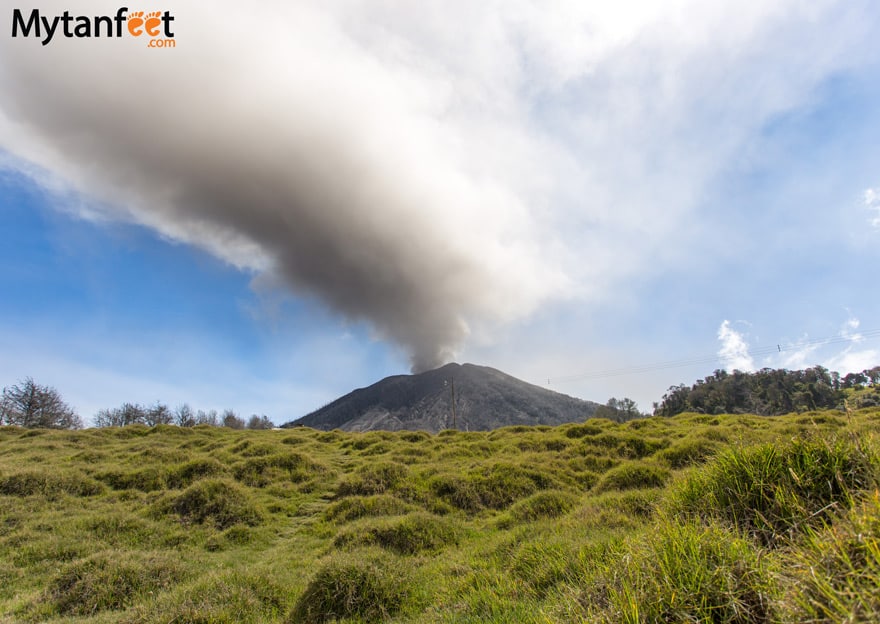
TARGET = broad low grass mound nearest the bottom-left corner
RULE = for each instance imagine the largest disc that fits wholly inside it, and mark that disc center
(110, 581)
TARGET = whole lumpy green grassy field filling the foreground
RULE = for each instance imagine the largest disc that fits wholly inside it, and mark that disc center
(687, 519)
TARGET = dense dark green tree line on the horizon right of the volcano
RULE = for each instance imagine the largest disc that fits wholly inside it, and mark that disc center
(770, 392)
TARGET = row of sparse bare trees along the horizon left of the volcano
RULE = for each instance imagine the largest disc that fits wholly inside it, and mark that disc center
(31, 405)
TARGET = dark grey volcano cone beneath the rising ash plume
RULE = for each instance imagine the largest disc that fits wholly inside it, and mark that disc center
(485, 399)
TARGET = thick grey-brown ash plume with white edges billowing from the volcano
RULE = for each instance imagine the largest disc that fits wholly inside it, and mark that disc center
(281, 143)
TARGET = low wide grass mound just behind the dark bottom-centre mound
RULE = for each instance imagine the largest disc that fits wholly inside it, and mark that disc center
(409, 535)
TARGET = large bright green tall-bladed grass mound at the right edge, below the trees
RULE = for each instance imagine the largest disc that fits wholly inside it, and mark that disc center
(773, 491)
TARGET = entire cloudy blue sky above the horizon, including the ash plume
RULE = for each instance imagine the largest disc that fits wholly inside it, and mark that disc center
(278, 211)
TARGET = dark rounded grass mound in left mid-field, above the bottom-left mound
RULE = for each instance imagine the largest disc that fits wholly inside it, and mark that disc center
(218, 501)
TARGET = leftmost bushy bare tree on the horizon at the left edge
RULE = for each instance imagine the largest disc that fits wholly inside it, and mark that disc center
(28, 404)
